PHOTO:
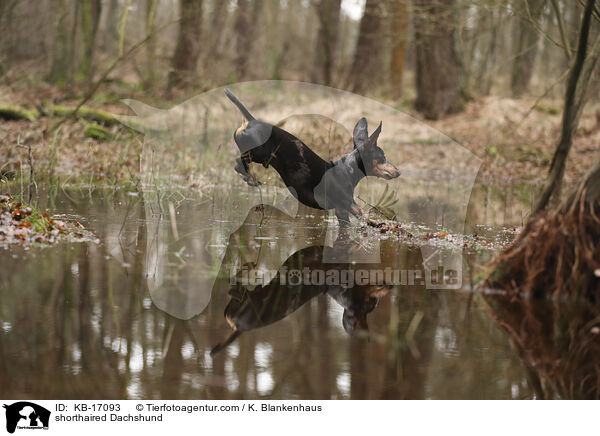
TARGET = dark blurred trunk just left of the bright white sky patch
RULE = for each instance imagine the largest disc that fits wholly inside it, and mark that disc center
(328, 13)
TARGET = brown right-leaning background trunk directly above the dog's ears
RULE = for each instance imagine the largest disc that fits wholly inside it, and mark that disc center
(367, 56)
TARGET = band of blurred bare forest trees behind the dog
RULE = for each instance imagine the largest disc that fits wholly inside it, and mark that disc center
(433, 54)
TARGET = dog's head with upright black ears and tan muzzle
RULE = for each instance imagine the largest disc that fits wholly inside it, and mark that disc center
(373, 157)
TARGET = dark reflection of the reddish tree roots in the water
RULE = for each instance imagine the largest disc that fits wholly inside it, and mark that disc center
(559, 344)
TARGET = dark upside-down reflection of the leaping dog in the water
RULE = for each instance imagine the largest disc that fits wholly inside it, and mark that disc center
(264, 305)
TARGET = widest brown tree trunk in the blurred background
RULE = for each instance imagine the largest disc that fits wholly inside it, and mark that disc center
(437, 73)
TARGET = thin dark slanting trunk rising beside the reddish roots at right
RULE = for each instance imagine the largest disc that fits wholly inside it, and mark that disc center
(577, 85)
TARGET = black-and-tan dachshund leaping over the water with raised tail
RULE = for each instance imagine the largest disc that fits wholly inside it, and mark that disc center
(313, 181)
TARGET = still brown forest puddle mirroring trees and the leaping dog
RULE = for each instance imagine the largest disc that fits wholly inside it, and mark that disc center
(138, 315)
